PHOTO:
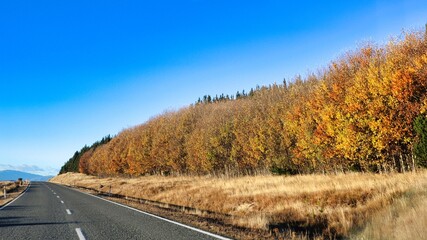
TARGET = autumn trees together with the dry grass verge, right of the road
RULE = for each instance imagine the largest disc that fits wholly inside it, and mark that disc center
(322, 156)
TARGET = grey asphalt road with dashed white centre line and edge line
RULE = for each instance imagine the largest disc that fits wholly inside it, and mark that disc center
(50, 211)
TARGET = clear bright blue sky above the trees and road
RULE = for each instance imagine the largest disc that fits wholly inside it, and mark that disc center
(72, 72)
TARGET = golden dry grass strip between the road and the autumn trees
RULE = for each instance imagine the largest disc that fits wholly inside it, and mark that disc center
(312, 205)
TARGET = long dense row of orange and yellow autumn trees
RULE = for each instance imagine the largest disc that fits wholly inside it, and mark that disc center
(357, 114)
